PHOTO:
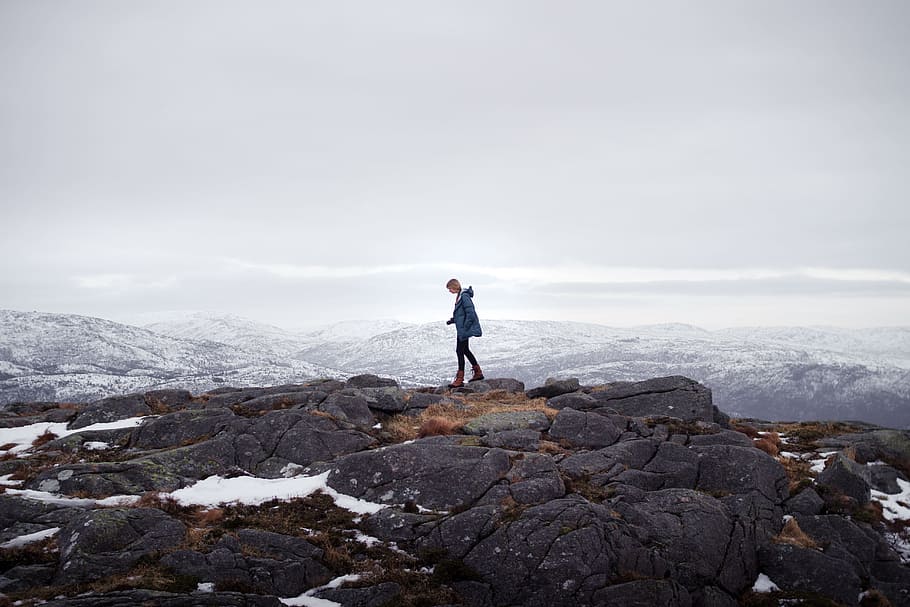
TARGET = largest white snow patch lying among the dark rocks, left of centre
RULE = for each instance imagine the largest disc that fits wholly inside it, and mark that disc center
(250, 490)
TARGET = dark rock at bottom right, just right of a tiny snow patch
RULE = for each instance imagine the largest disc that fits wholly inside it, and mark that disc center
(794, 568)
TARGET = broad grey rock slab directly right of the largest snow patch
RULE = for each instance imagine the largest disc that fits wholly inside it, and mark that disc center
(430, 473)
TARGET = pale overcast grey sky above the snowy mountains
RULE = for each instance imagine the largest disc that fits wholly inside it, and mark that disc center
(712, 162)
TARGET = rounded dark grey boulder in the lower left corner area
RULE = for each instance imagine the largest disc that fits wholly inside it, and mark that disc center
(100, 543)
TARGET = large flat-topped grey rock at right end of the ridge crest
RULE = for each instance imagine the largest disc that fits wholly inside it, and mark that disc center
(674, 396)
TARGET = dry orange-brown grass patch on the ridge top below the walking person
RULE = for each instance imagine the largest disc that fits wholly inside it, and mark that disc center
(403, 428)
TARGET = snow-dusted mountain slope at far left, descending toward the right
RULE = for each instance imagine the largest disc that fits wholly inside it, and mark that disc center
(65, 357)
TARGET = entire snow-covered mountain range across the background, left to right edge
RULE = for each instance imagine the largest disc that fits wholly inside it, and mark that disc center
(780, 373)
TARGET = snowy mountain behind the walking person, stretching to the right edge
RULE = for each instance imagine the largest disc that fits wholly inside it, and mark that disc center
(773, 373)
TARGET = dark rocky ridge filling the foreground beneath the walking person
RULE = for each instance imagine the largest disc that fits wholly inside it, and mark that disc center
(629, 493)
